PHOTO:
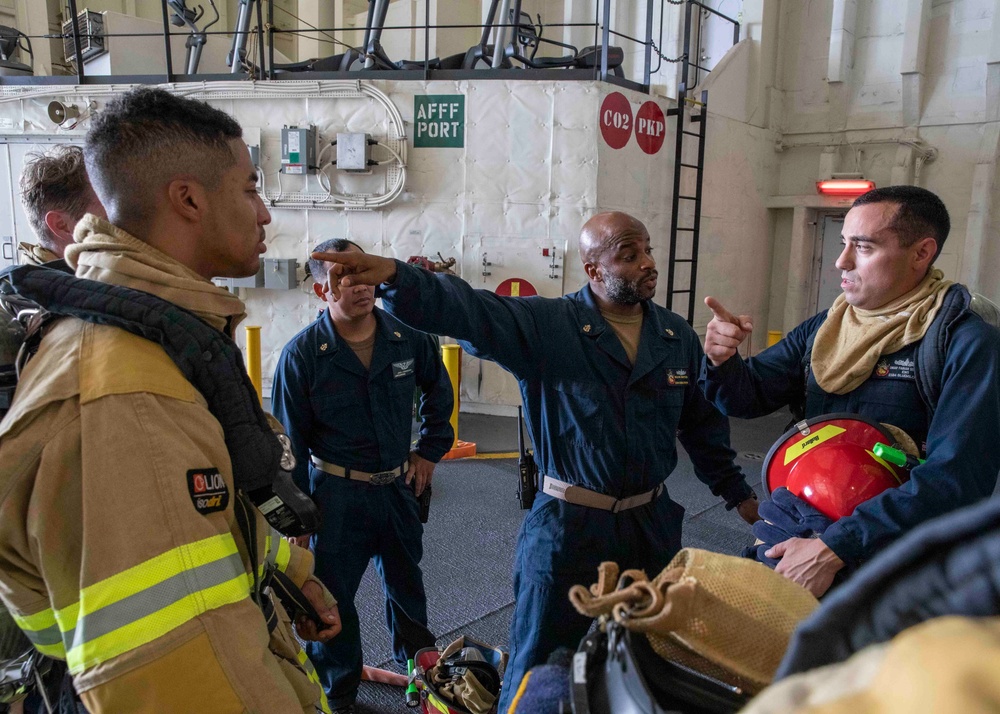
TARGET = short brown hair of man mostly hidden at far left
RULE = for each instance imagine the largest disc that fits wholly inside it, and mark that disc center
(55, 180)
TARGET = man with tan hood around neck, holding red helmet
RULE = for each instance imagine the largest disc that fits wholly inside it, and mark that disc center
(900, 346)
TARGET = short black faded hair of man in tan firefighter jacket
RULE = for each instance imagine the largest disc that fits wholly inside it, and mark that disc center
(146, 138)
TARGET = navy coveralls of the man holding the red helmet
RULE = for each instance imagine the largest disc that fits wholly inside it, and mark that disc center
(957, 437)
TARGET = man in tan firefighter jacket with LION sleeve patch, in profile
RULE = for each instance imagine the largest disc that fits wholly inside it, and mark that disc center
(119, 548)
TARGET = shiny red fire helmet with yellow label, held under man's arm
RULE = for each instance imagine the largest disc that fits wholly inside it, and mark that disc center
(828, 462)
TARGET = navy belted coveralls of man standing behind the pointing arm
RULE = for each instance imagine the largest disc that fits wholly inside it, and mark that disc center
(335, 409)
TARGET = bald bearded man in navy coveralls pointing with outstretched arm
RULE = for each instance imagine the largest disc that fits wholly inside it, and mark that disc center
(609, 384)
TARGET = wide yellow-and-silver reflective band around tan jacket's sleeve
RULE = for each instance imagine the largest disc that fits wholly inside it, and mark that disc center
(141, 604)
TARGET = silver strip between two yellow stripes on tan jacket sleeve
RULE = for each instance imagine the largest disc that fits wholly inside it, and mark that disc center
(146, 602)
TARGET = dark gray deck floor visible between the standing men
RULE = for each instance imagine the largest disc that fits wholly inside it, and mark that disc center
(469, 540)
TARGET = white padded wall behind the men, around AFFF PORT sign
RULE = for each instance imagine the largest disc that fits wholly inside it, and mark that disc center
(532, 169)
